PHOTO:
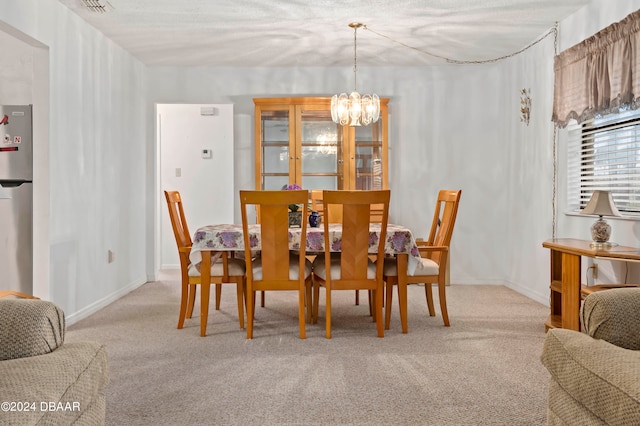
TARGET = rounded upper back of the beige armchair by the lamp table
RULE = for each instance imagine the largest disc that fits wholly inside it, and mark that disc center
(613, 315)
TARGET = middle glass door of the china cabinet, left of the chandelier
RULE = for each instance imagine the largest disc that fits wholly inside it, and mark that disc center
(321, 153)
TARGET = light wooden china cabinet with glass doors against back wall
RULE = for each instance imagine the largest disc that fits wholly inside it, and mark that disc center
(296, 141)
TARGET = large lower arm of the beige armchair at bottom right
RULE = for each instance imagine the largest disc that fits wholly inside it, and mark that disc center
(600, 378)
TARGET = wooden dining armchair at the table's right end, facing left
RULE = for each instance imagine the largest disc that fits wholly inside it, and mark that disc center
(433, 263)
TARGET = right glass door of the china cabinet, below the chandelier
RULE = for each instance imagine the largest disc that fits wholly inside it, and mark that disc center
(368, 158)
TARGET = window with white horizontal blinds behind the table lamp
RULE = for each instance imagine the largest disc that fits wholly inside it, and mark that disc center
(604, 153)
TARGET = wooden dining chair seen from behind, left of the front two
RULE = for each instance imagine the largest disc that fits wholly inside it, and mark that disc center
(276, 268)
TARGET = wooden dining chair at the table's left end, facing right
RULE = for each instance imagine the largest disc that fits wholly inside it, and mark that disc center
(224, 269)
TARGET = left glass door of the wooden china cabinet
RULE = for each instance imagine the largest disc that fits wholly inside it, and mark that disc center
(275, 149)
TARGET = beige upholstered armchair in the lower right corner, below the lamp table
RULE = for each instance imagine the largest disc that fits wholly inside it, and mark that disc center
(595, 374)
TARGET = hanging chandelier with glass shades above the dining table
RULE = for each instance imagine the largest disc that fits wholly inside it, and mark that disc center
(354, 109)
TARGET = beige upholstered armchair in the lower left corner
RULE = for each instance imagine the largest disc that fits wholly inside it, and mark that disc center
(43, 380)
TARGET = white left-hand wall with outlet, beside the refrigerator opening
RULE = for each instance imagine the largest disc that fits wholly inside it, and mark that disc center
(96, 150)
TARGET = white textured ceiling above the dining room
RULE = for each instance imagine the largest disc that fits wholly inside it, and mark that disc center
(287, 33)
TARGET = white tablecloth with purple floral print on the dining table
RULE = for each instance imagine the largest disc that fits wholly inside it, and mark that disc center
(228, 237)
